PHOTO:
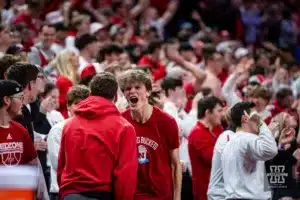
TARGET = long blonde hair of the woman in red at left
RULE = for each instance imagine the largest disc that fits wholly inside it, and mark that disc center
(62, 63)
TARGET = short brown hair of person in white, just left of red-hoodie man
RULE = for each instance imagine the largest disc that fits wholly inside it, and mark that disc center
(76, 94)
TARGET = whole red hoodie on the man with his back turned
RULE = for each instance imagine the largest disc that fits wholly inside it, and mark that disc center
(98, 151)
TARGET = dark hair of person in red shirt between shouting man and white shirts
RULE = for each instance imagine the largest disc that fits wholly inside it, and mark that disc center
(207, 103)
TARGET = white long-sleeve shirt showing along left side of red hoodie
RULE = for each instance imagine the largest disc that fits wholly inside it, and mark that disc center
(53, 140)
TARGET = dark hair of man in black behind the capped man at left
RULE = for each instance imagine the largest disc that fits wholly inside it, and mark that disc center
(23, 73)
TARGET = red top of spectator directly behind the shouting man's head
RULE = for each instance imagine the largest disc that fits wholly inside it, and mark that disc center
(158, 70)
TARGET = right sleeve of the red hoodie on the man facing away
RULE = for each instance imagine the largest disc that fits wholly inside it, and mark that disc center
(126, 170)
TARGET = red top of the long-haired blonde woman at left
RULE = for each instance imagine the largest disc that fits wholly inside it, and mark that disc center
(63, 84)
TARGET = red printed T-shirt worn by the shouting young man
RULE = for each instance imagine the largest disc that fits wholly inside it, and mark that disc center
(155, 139)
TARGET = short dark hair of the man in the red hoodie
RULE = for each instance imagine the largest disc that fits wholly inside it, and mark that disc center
(105, 85)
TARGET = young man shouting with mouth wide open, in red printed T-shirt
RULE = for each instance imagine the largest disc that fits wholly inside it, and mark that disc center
(159, 172)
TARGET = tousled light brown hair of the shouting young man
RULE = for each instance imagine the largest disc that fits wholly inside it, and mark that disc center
(132, 76)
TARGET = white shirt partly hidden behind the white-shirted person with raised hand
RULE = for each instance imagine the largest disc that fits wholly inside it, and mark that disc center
(216, 189)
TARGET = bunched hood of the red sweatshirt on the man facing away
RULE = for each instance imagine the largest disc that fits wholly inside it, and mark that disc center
(95, 107)
